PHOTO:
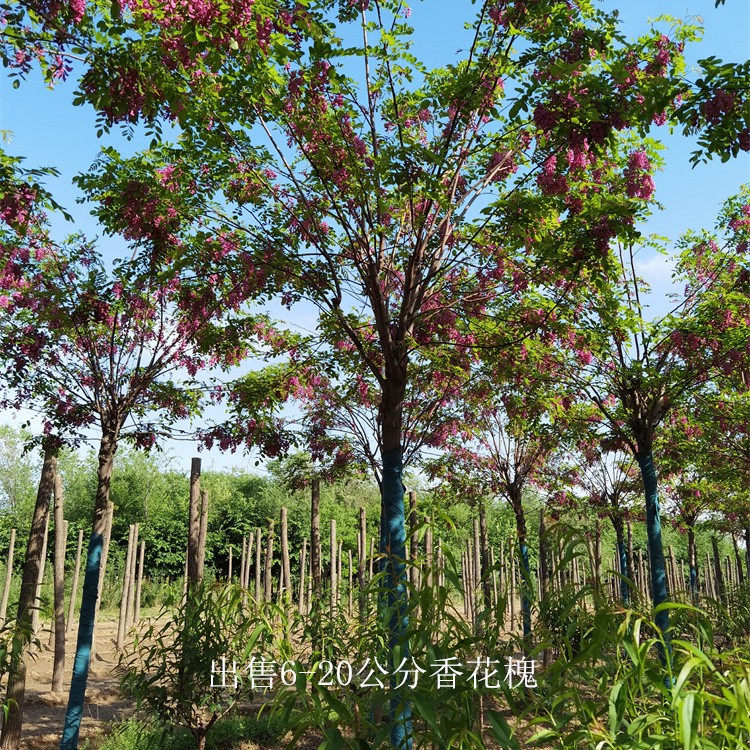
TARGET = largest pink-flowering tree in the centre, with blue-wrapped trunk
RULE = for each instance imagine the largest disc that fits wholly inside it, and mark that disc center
(400, 204)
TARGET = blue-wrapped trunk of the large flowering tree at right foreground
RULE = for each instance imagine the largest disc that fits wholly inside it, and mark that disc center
(656, 550)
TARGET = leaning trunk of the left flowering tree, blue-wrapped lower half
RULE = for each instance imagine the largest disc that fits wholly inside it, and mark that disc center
(74, 712)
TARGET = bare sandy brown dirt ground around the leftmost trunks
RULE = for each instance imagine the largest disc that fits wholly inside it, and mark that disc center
(44, 711)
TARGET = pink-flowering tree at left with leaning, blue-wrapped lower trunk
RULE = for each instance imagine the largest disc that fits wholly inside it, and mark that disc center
(89, 347)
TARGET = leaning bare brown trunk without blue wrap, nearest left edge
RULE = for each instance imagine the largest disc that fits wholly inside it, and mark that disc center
(22, 631)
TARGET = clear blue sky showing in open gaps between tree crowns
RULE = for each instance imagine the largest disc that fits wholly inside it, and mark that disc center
(49, 131)
